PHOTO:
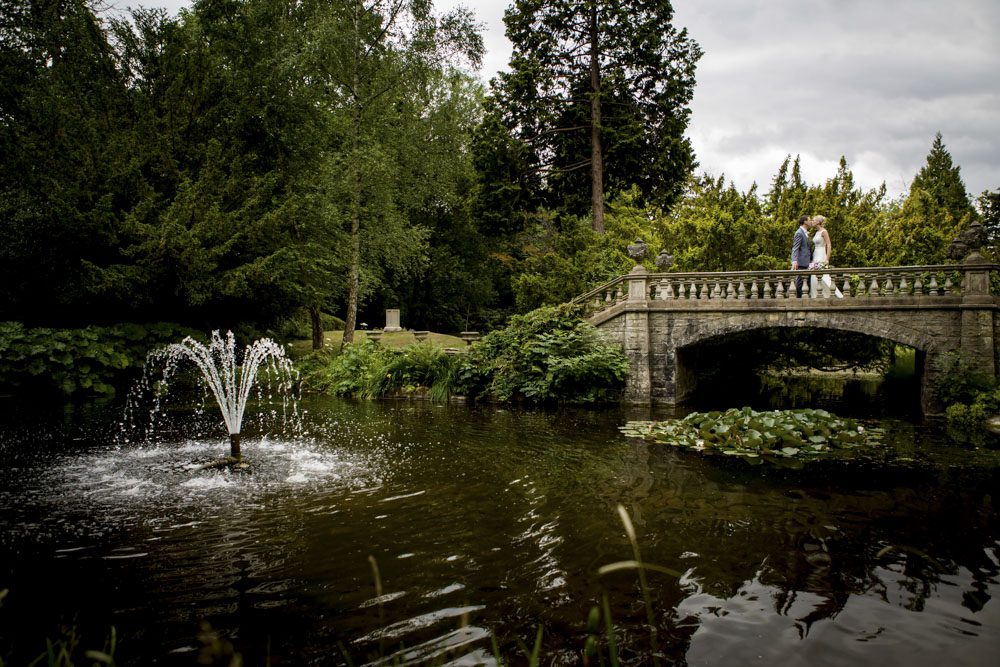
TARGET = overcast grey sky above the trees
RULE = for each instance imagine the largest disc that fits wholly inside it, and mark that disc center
(872, 80)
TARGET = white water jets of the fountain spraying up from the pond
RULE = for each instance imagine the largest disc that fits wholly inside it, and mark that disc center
(228, 381)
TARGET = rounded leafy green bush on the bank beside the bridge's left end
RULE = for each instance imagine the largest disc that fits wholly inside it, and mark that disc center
(550, 354)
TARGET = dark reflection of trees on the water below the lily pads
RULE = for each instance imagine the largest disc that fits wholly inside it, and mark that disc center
(814, 538)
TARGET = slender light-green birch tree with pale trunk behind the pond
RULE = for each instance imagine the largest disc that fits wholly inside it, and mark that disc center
(370, 62)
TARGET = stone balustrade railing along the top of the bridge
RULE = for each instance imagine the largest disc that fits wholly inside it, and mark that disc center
(847, 284)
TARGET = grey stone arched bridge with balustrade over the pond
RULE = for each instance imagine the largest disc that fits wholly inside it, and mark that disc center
(947, 313)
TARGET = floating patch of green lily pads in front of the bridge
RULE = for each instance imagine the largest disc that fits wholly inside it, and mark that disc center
(806, 433)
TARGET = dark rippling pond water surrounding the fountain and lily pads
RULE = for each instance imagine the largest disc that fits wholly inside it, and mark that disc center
(488, 523)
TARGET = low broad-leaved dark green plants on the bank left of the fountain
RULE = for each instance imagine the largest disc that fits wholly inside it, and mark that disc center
(87, 362)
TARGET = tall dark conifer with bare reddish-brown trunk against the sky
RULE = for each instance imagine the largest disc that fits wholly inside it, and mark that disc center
(595, 86)
